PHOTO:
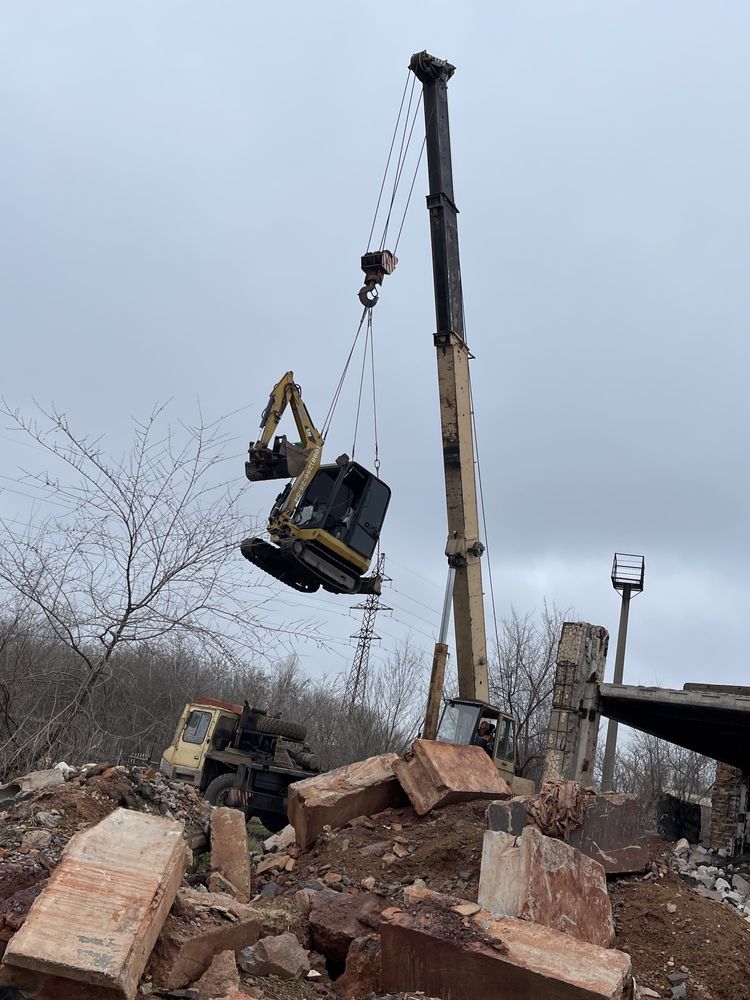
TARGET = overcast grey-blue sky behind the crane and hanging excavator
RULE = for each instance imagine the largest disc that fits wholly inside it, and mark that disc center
(185, 190)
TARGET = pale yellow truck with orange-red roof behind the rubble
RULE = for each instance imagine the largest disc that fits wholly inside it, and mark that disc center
(239, 756)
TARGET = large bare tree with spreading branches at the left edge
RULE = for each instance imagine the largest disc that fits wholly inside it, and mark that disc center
(142, 551)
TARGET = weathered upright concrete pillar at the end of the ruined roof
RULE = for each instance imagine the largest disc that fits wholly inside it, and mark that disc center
(574, 721)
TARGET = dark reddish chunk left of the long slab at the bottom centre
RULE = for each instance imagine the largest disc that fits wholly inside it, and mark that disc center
(337, 918)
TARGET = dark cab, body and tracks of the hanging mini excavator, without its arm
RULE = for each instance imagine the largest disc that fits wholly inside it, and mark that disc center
(328, 539)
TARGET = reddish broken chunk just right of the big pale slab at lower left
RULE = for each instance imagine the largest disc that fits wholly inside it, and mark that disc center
(201, 925)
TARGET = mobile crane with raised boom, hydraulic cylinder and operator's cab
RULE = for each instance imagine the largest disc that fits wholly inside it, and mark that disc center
(461, 717)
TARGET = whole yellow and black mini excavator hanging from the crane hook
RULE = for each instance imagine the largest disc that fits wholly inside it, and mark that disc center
(325, 523)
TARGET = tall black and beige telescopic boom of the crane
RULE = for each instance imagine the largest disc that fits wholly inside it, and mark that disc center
(464, 548)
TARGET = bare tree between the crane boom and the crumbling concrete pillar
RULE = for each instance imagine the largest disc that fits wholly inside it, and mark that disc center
(522, 675)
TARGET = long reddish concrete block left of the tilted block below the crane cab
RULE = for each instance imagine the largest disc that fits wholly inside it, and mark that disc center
(336, 797)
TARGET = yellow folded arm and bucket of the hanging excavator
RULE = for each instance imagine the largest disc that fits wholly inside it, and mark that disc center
(285, 460)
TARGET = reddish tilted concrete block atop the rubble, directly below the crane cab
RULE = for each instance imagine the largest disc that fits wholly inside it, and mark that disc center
(434, 774)
